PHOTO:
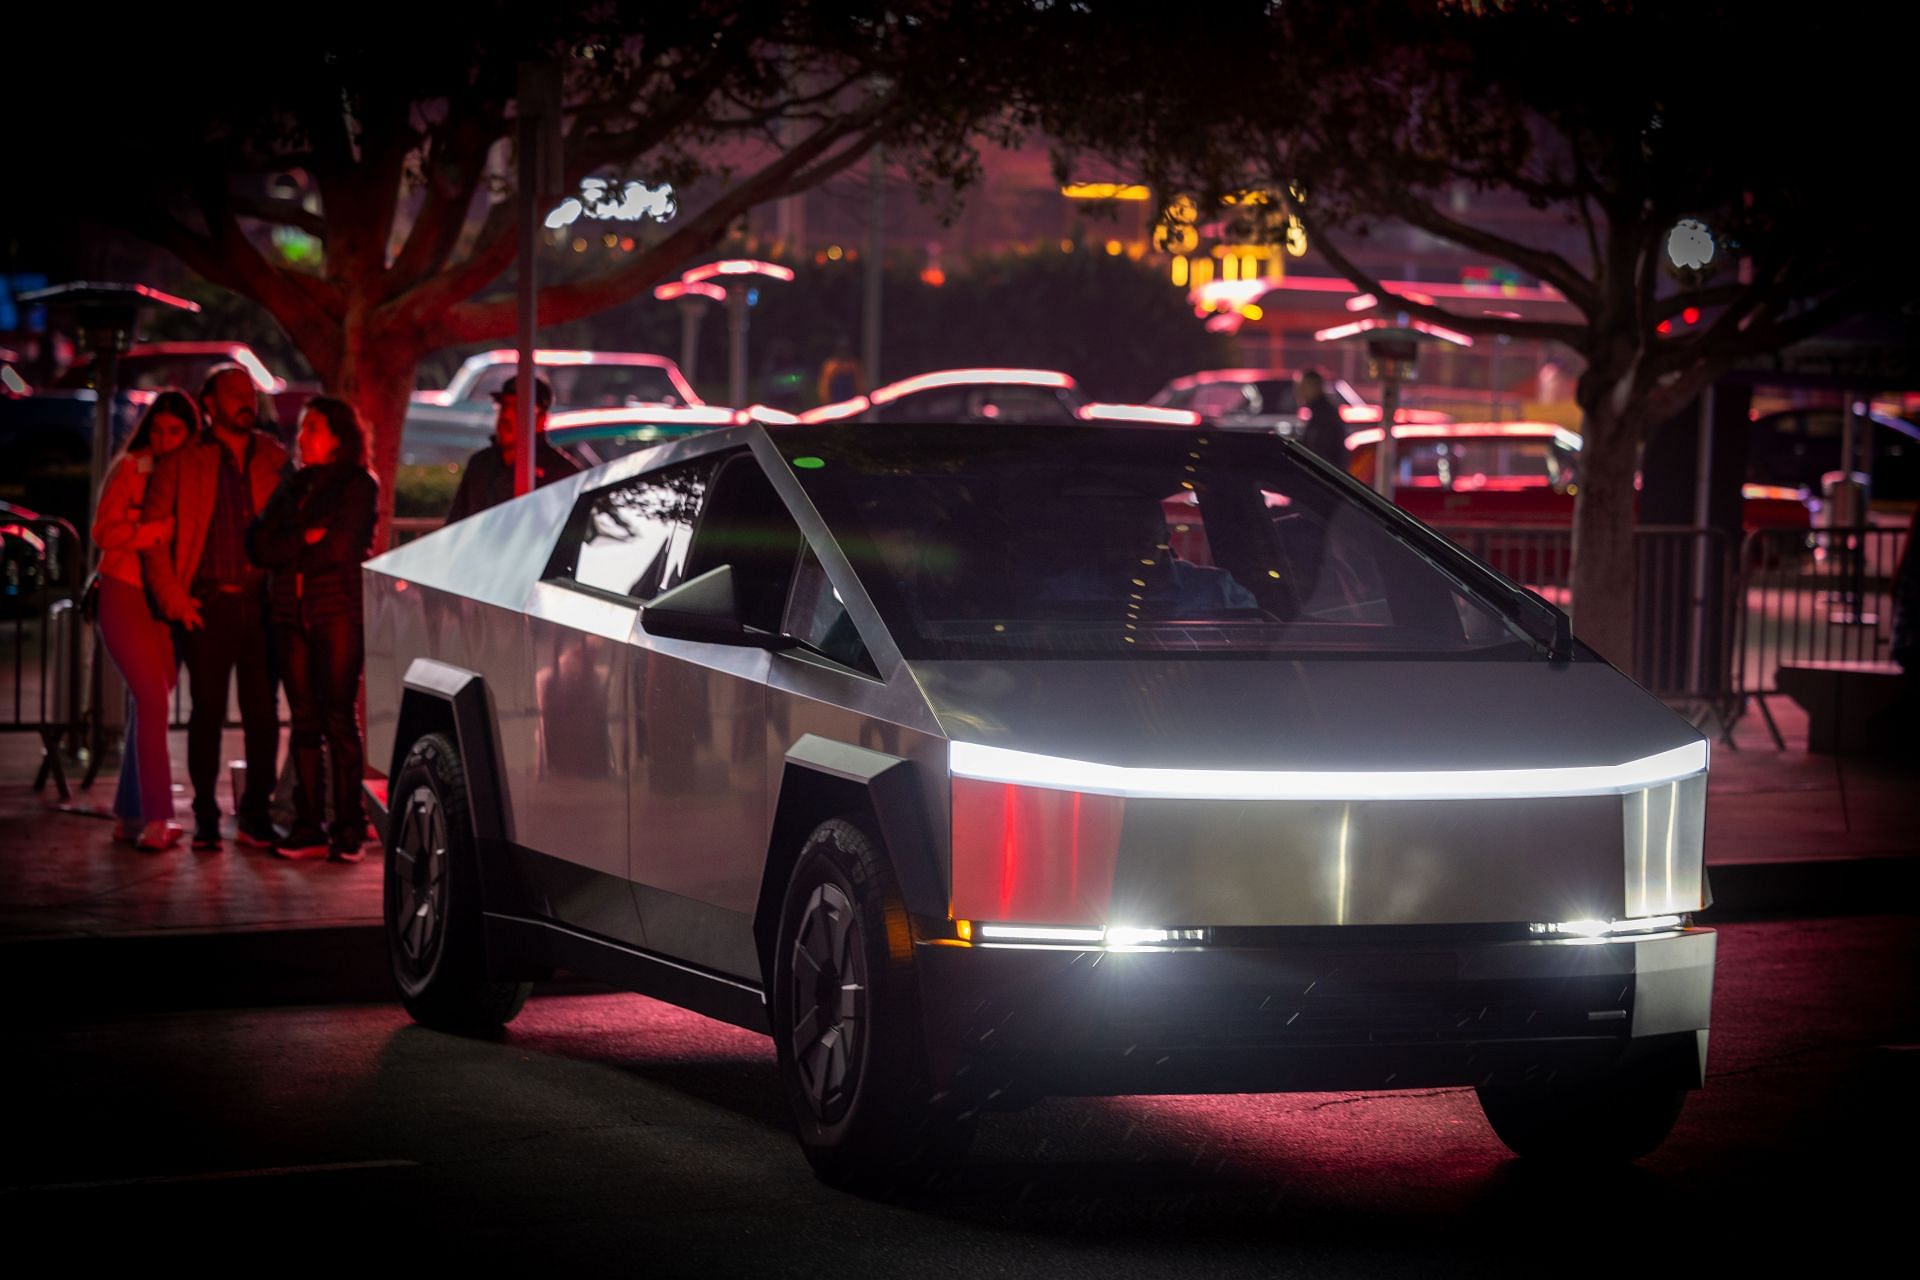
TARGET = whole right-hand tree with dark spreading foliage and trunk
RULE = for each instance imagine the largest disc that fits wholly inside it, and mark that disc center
(1616, 118)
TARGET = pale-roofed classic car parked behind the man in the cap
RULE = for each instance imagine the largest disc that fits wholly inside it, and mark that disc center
(452, 423)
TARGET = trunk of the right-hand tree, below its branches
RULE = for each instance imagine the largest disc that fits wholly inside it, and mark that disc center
(1604, 534)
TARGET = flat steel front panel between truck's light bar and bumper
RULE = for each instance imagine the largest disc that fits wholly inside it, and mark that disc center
(1287, 863)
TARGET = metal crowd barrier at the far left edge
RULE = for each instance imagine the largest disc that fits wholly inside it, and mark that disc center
(41, 634)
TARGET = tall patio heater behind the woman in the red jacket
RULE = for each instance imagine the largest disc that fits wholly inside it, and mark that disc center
(105, 318)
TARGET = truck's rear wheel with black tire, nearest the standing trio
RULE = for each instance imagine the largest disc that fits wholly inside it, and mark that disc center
(433, 899)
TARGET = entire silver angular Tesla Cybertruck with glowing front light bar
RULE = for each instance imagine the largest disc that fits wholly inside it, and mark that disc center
(988, 763)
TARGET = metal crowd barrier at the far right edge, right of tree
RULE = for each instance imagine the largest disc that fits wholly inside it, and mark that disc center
(1817, 598)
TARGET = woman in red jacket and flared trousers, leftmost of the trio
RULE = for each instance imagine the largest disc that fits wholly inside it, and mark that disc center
(135, 638)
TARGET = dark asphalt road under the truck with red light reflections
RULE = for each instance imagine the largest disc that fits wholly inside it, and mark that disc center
(617, 1135)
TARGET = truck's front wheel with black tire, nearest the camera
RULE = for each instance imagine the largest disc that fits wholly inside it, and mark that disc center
(848, 1024)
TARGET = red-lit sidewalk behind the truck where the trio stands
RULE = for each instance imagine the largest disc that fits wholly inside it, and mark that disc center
(1787, 836)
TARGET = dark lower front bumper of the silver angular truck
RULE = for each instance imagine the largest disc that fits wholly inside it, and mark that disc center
(1318, 1010)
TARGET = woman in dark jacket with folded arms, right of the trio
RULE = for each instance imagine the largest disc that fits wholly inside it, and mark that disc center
(314, 536)
